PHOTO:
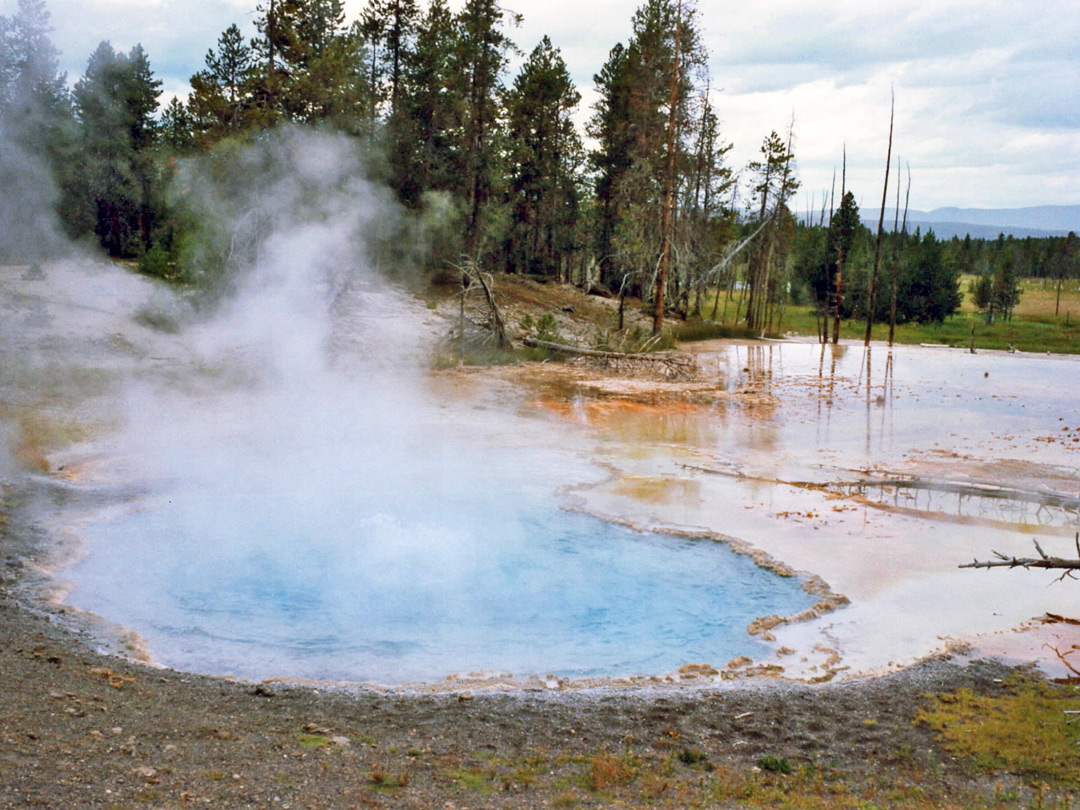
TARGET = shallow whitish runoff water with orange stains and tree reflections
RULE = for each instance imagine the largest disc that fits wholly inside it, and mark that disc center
(882, 471)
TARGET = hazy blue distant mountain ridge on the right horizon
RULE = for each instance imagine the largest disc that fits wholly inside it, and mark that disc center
(1039, 221)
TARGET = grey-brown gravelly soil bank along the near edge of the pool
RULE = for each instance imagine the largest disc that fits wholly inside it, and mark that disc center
(85, 731)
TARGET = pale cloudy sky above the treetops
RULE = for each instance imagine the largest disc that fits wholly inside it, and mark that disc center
(988, 92)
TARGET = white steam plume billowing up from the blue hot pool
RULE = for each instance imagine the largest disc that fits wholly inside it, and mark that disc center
(301, 466)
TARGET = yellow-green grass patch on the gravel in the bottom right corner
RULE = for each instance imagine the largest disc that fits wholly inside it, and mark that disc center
(1025, 732)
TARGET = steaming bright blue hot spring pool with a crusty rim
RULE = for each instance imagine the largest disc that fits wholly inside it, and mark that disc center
(374, 598)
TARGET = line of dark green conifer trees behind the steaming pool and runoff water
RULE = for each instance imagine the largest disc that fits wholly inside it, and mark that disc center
(651, 210)
